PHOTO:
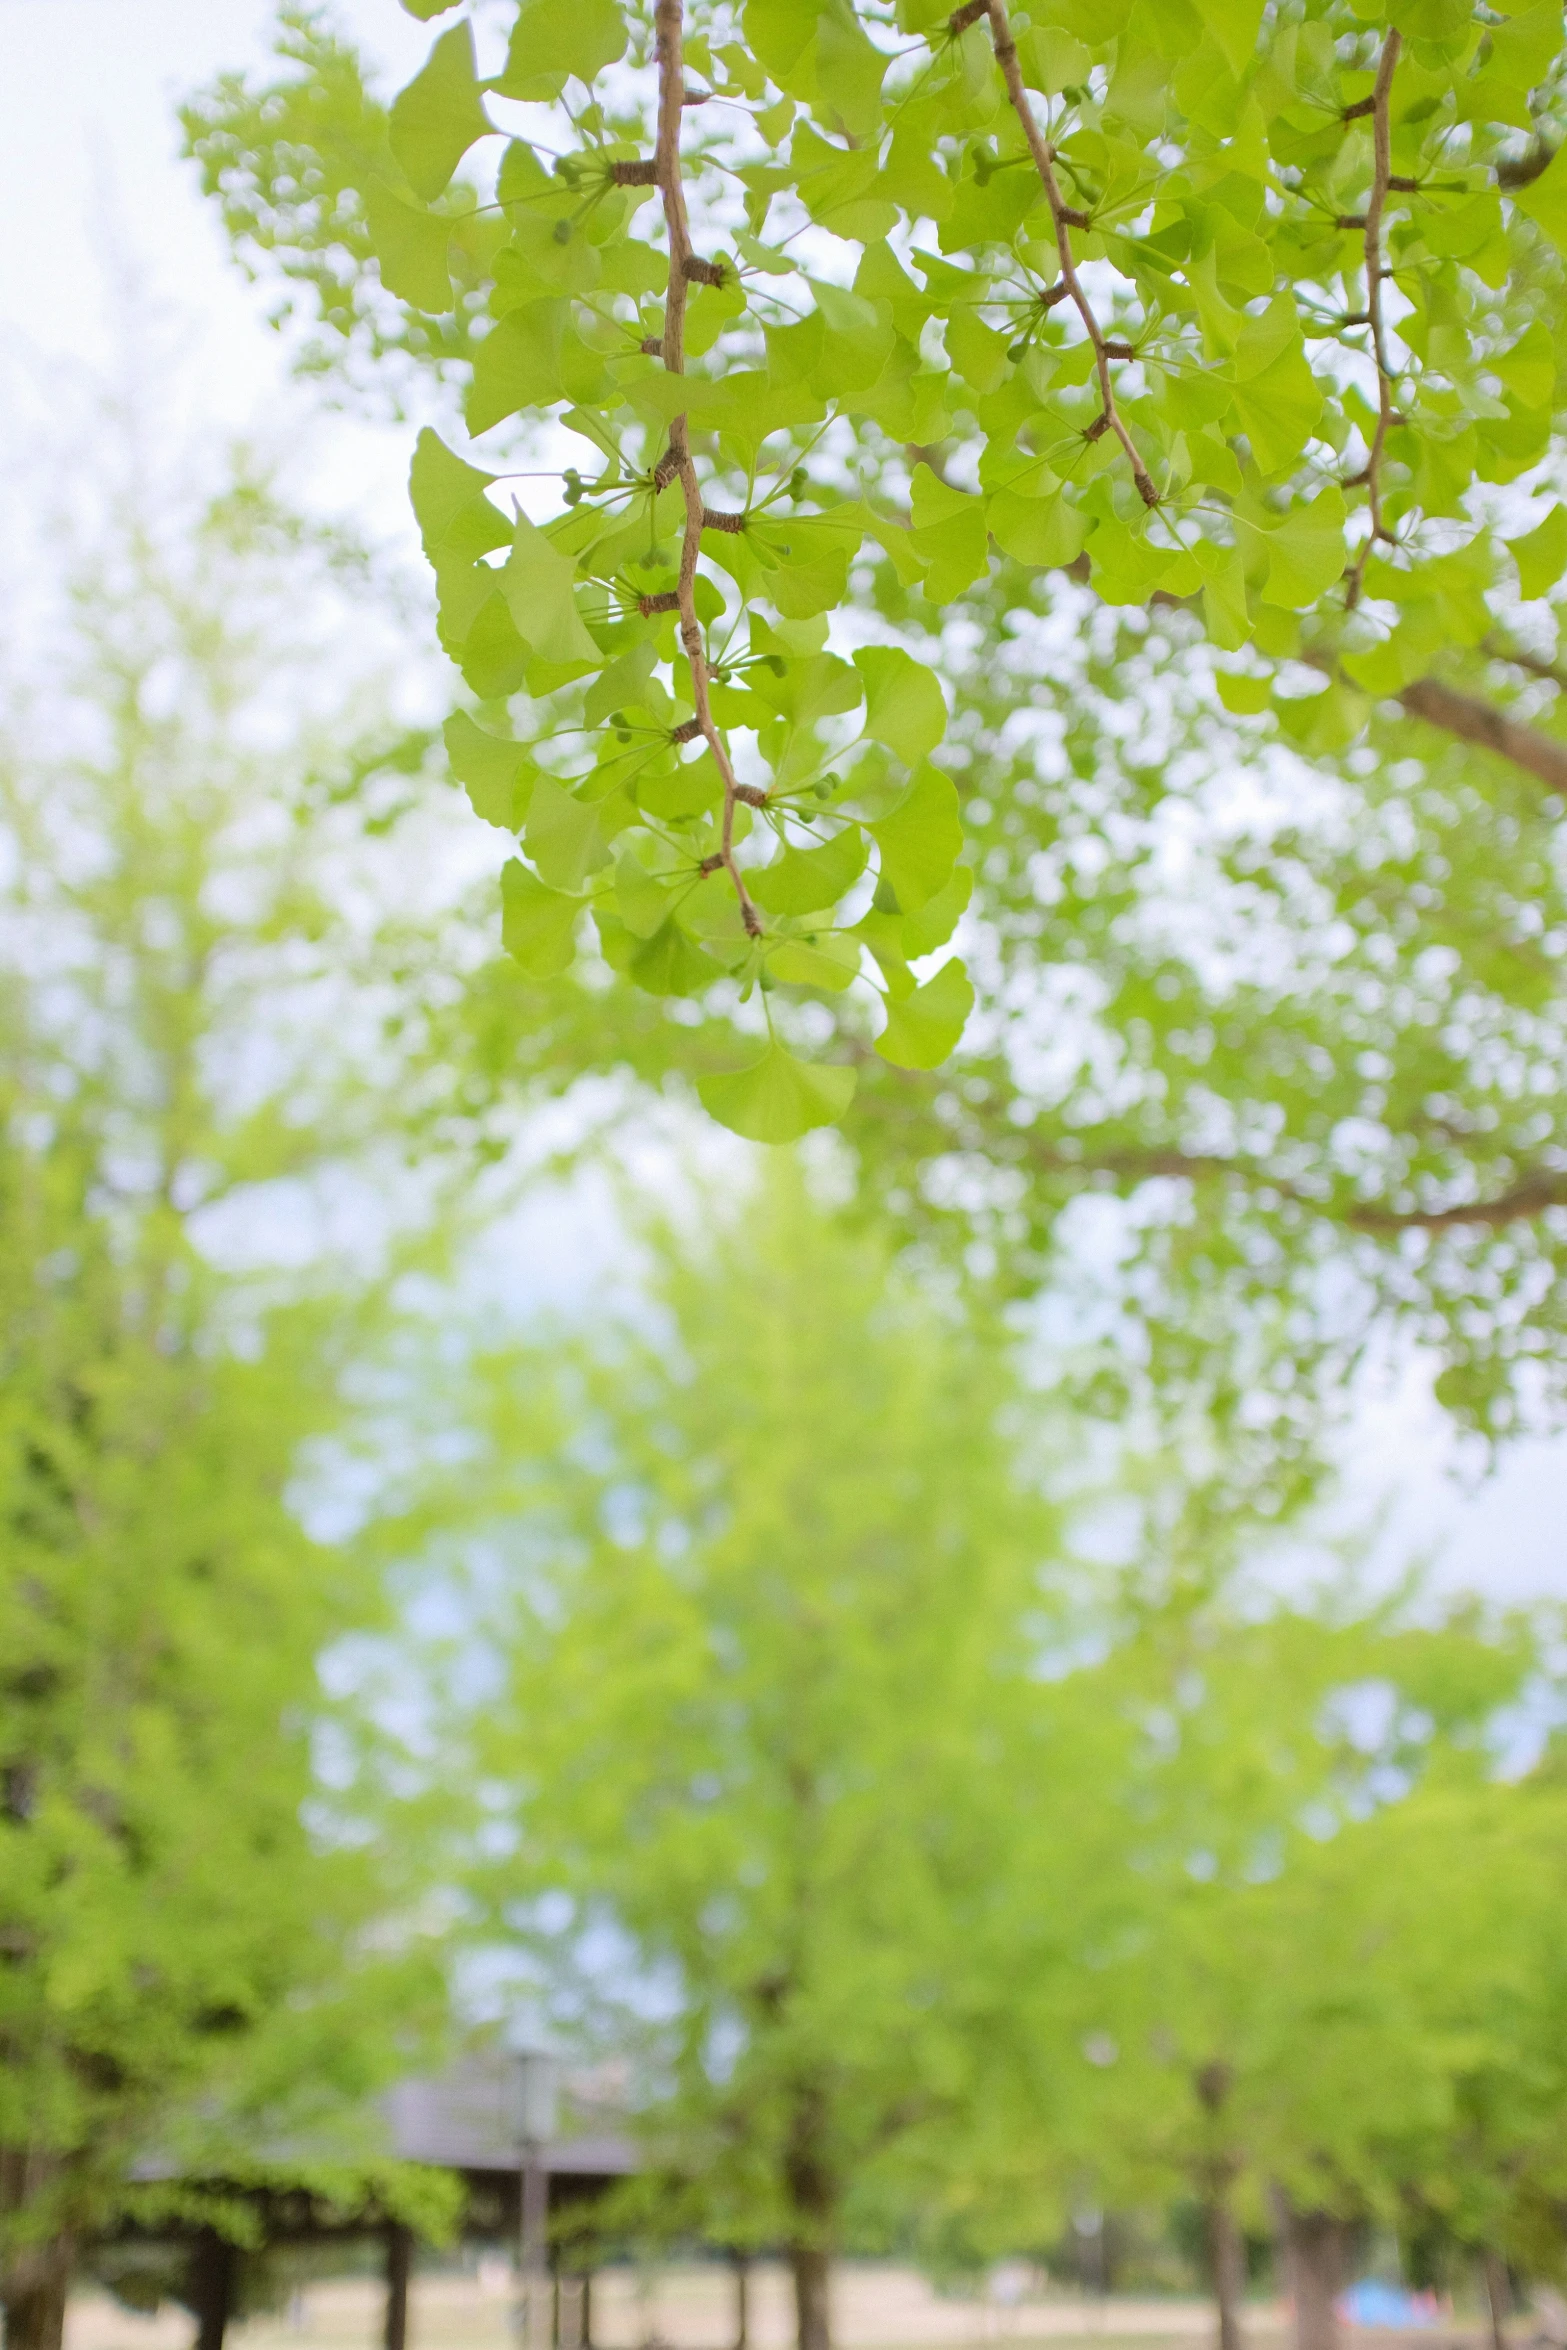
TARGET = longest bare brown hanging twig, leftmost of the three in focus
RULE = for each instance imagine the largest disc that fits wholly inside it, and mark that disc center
(687, 267)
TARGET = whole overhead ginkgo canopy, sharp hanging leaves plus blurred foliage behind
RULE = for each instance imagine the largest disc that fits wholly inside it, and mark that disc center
(1239, 318)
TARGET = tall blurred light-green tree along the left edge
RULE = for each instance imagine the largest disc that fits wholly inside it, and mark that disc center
(187, 1954)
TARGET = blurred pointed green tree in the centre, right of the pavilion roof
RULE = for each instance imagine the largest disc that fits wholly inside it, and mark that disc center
(762, 1573)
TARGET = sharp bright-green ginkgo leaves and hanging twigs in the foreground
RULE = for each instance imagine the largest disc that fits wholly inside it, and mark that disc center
(1228, 304)
